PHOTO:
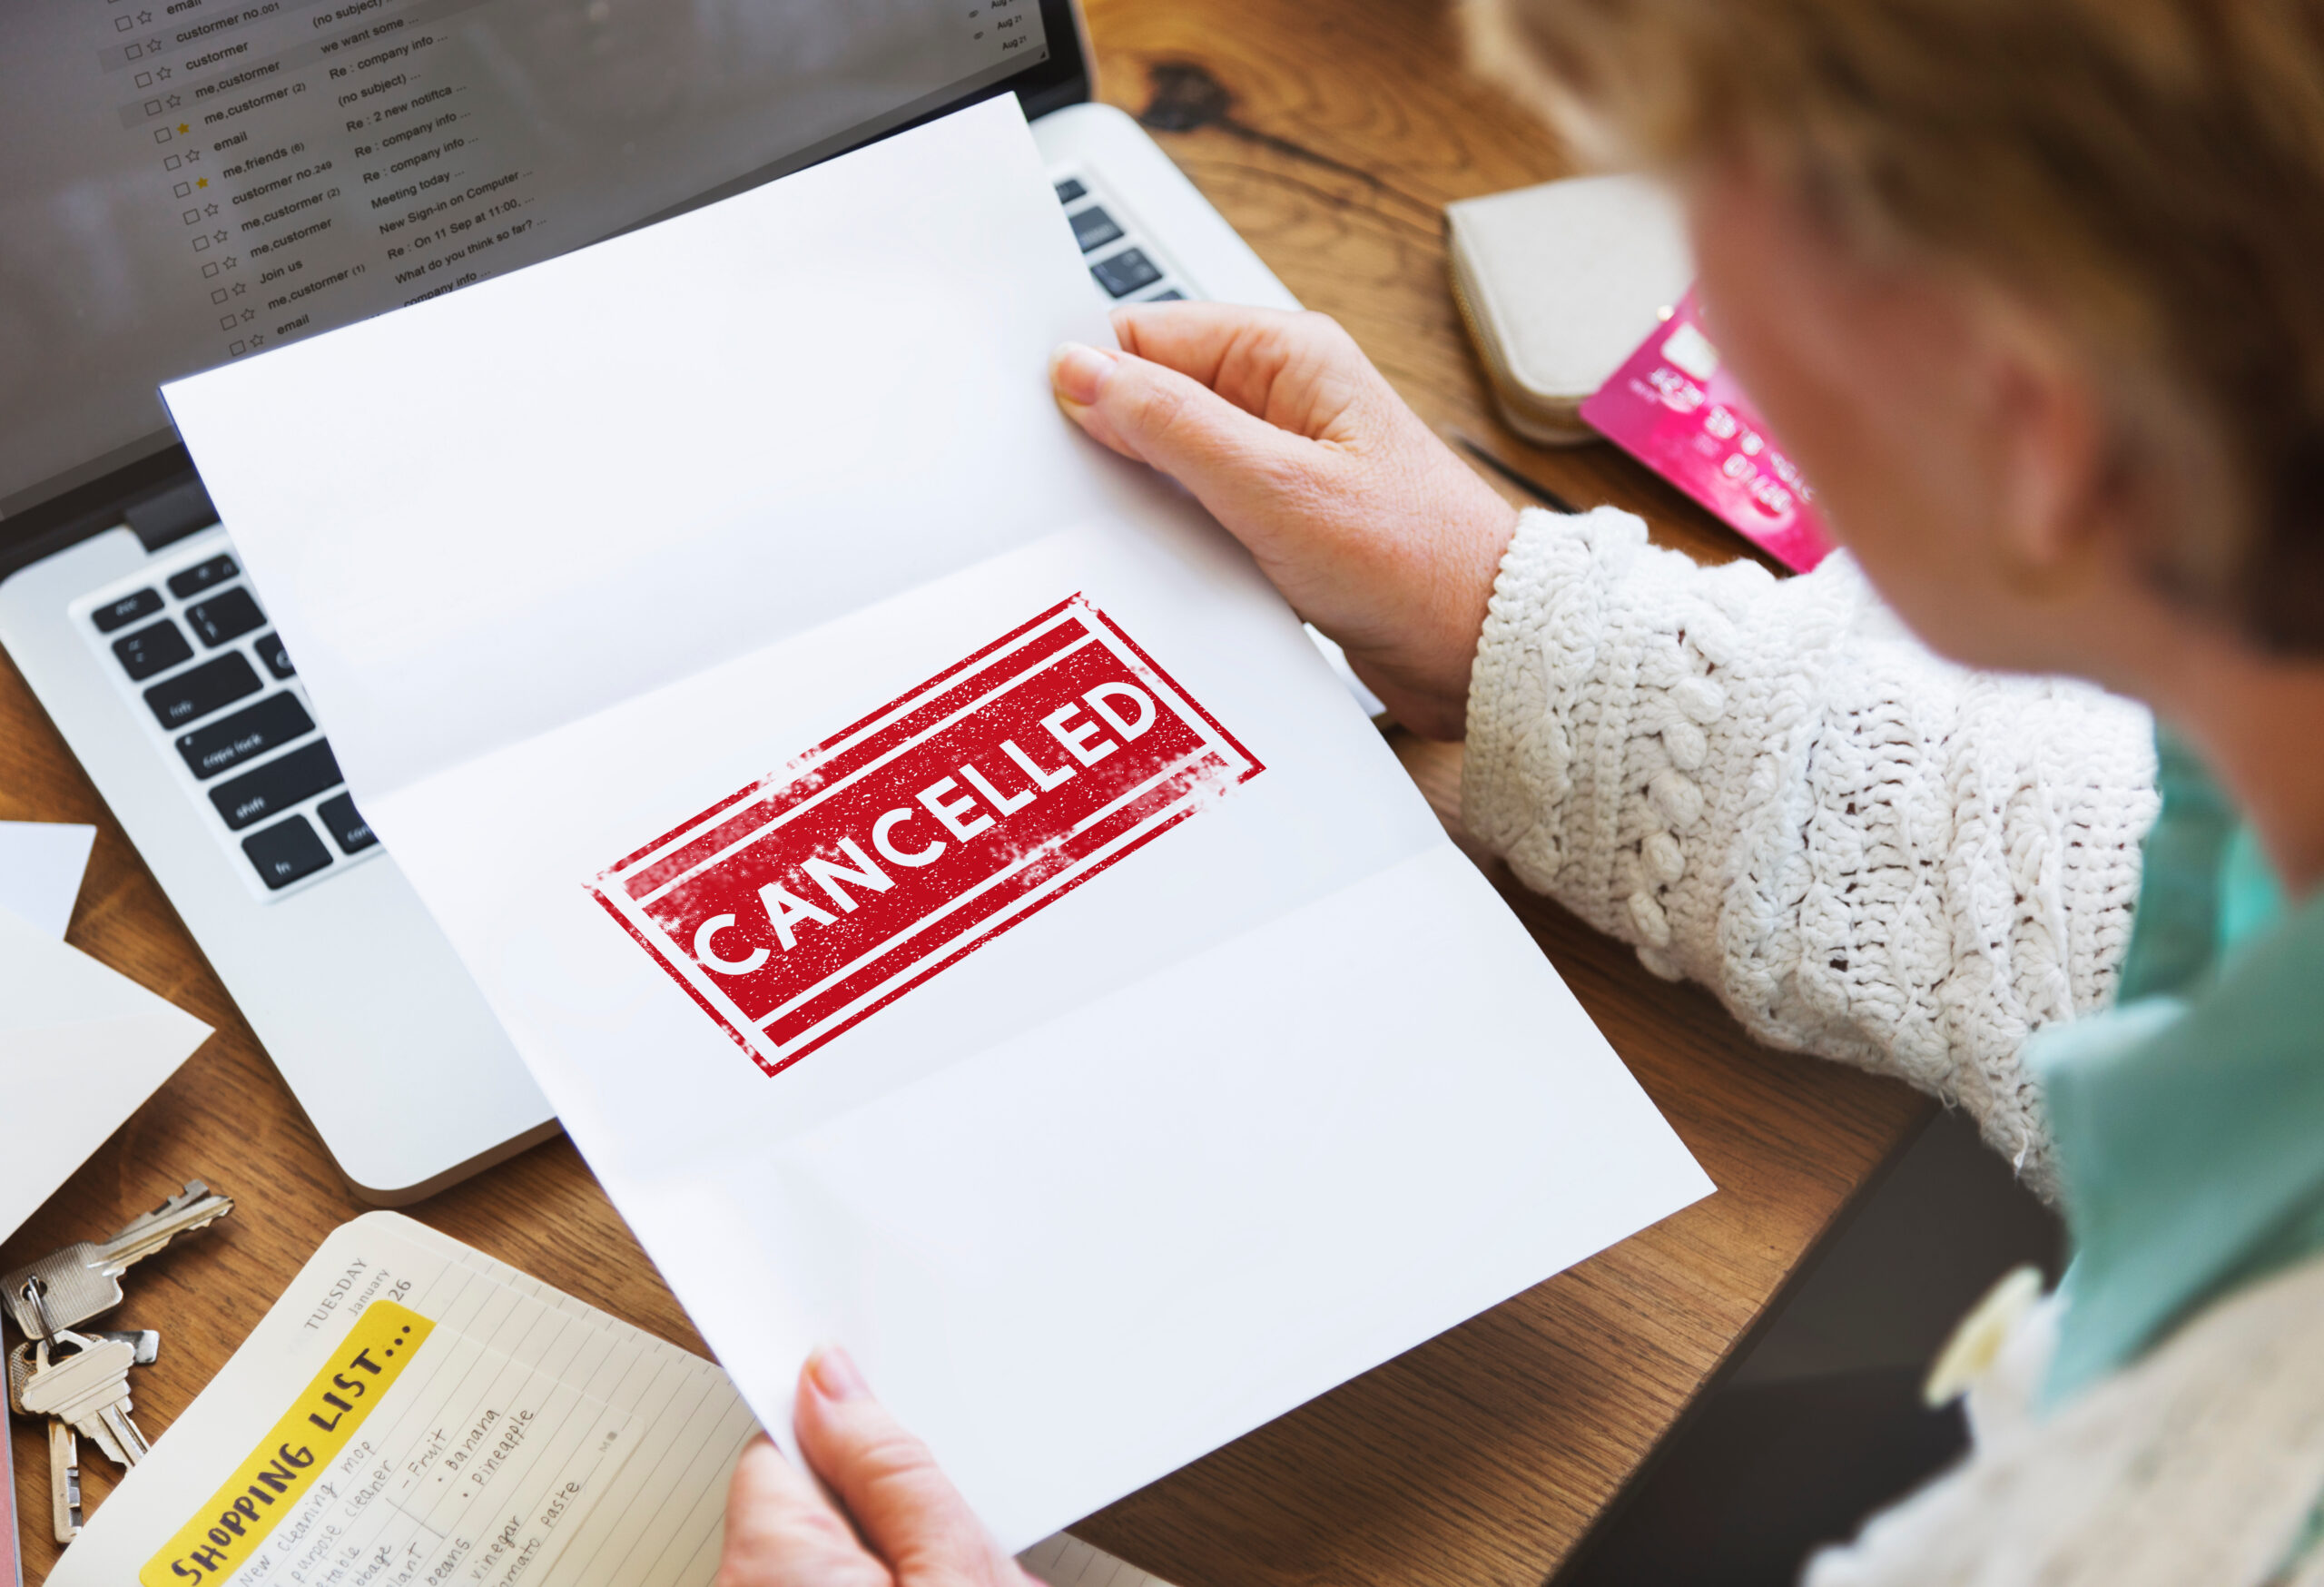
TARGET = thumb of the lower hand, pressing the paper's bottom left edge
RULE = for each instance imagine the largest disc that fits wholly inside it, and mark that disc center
(910, 1514)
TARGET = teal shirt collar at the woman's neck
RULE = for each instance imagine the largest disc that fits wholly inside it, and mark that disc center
(2190, 1119)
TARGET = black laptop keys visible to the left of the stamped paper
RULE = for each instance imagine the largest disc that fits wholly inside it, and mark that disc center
(189, 642)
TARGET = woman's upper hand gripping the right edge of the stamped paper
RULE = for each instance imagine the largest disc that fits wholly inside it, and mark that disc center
(1279, 424)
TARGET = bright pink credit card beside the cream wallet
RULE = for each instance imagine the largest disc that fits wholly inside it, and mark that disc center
(1677, 410)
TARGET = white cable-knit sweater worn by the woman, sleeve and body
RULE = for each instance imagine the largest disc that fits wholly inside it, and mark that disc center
(1874, 856)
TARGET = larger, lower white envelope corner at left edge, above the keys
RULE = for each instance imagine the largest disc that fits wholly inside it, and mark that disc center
(80, 1051)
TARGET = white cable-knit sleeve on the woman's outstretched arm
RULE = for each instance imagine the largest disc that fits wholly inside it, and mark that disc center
(1772, 789)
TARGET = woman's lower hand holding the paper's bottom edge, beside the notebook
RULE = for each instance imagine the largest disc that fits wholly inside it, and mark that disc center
(910, 1523)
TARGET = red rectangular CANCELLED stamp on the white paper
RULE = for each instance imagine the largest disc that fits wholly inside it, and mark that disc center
(891, 852)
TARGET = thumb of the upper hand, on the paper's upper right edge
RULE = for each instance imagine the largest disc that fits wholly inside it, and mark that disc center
(1165, 419)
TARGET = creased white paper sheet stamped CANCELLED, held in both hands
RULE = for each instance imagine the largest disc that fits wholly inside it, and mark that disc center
(578, 554)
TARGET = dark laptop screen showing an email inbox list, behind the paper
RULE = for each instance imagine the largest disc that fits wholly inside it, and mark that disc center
(194, 182)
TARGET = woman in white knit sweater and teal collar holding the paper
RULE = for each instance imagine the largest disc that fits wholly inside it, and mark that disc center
(2032, 292)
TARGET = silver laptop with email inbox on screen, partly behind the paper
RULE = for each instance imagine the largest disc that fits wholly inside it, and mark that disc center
(206, 180)
